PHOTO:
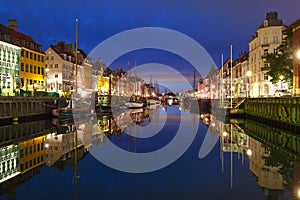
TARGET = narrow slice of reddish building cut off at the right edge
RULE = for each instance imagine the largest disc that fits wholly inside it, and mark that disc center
(296, 60)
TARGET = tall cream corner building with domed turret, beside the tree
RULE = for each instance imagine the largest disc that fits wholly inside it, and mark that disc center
(266, 39)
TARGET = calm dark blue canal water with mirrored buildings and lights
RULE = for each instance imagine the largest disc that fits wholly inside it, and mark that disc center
(161, 152)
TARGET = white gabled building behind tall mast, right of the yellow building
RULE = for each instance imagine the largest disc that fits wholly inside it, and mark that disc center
(61, 69)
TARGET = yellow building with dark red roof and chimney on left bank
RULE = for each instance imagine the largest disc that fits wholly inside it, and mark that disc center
(32, 59)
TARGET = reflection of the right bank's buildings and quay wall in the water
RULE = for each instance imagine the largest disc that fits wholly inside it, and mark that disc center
(273, 154)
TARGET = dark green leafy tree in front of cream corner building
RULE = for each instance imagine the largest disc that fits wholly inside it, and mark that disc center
(281, 61)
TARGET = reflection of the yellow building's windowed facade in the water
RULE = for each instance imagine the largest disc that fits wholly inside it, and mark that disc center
(31, 153)
